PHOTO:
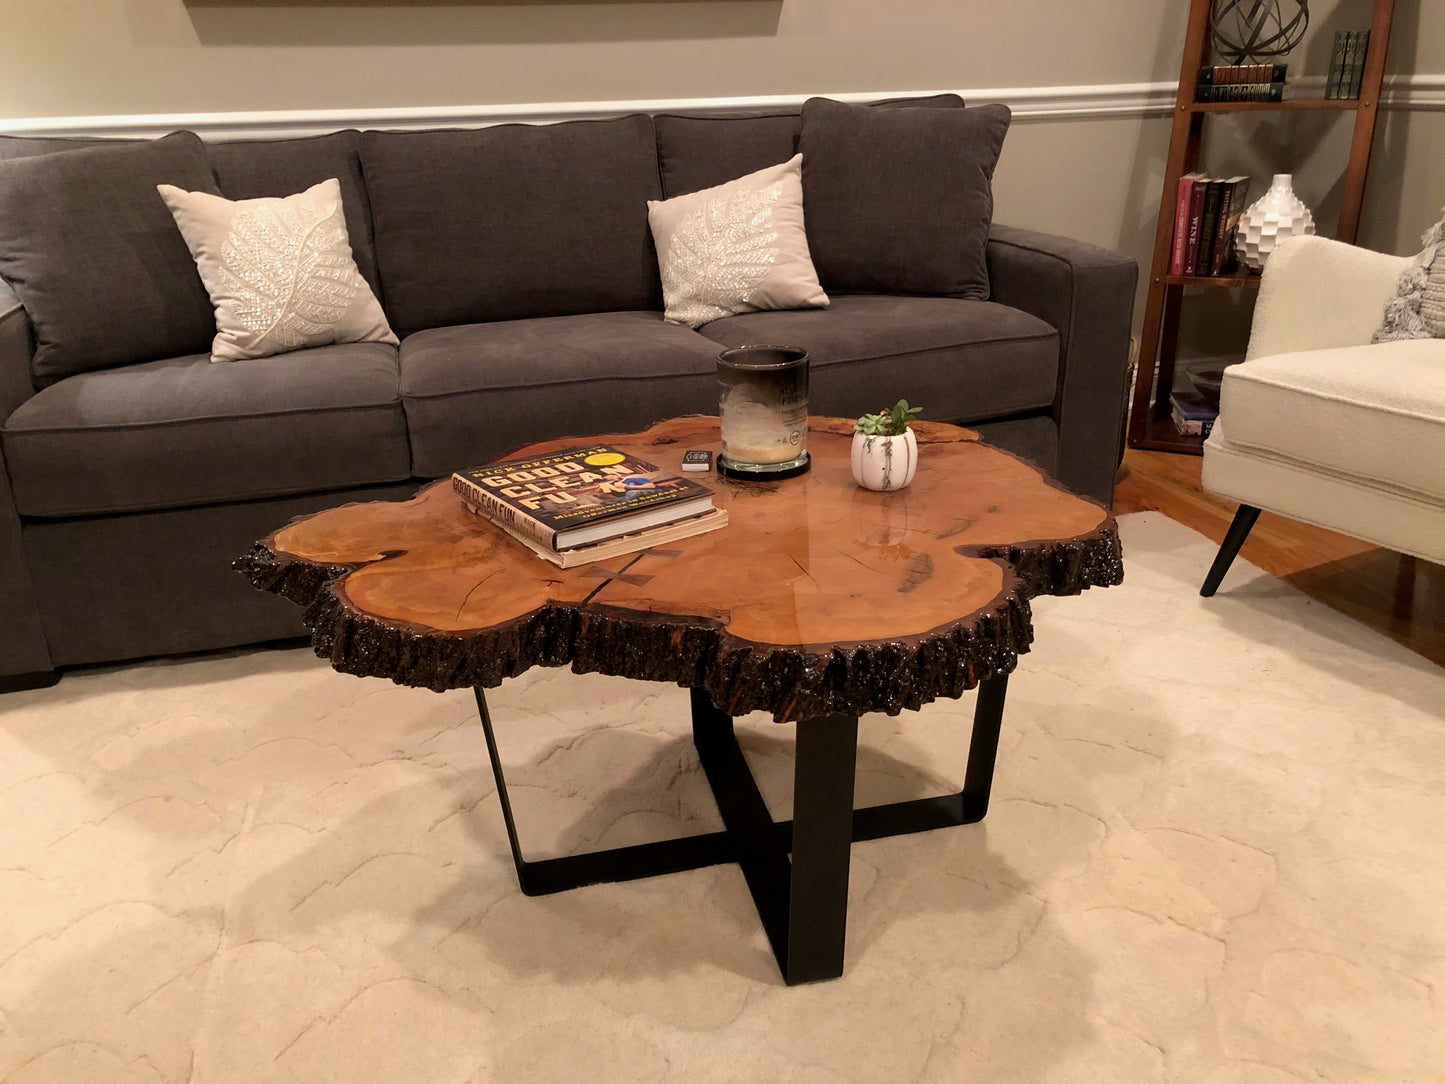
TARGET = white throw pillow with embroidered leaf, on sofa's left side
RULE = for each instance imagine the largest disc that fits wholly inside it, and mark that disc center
(280, 271)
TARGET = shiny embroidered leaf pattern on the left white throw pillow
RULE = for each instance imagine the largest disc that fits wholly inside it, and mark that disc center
(290, 268)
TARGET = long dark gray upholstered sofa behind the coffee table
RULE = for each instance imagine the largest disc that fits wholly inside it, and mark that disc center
(518, 268)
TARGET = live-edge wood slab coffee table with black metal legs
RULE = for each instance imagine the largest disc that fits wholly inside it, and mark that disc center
(817, 603)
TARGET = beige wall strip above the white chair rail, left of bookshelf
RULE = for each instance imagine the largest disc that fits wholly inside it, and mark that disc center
(70, 57)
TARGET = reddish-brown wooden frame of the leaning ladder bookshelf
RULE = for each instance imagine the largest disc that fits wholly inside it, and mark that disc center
(1149, 420)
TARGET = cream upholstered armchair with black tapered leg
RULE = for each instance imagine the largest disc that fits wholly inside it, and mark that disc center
(1320, 424)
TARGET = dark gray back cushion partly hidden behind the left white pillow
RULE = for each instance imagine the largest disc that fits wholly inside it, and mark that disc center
(255, 168)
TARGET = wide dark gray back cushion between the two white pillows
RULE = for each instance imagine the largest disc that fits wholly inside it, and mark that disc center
(514, 222)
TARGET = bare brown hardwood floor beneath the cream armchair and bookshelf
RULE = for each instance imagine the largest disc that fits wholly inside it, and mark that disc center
(1398, 596)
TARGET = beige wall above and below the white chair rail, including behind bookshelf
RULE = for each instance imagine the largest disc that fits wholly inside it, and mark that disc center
(1097, 180)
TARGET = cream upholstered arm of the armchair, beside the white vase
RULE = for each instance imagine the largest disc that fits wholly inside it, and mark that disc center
(1319, 294)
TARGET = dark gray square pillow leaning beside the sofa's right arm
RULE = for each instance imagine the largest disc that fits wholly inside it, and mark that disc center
(901, 200)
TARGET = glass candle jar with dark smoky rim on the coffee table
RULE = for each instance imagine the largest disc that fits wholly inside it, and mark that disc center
(764, 407)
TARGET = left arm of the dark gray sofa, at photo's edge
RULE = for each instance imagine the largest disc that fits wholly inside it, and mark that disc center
(24, 655)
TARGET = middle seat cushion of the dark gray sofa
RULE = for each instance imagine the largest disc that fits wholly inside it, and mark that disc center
(480, 391)
